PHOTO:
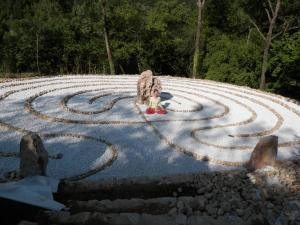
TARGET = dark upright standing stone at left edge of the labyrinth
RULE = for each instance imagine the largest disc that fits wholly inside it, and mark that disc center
(33, 156)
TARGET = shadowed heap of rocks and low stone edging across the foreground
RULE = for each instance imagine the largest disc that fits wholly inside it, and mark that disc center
(267, 196)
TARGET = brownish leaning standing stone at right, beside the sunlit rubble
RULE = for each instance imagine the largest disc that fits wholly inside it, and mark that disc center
(264, 153)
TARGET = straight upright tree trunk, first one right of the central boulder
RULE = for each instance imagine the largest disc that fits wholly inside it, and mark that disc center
(197, 43)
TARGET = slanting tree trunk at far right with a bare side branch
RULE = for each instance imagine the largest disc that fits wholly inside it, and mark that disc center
(268, 41)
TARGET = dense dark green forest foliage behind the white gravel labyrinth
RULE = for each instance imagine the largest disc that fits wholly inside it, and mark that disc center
(68, 36)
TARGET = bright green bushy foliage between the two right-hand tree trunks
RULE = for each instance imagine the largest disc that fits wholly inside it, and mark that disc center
(232, 60)
